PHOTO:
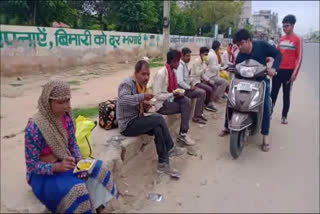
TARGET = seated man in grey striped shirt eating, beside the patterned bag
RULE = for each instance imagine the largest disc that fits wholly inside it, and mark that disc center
(133, 101)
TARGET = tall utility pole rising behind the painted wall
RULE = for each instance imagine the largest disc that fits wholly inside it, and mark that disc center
(166, 28)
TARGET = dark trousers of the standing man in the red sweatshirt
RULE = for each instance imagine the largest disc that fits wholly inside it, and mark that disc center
(283, 79)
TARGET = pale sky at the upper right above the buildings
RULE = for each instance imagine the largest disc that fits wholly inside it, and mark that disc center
(306, 12)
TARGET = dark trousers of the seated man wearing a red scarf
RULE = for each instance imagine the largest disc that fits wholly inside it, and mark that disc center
(180, 105)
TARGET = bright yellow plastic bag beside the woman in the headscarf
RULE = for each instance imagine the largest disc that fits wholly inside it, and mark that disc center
(84, 127)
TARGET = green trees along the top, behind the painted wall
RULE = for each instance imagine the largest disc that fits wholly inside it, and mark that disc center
(125, 15)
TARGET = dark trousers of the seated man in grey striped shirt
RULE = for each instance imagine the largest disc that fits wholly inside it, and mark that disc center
(156, 126)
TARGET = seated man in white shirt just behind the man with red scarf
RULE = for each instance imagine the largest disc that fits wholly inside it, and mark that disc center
(191, 91)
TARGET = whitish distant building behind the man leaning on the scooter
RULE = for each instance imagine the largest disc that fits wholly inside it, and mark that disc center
(265, 25)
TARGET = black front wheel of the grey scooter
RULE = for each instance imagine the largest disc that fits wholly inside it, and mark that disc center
(236, 143)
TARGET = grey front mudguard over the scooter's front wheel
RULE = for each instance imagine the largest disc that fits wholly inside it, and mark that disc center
(240, 121)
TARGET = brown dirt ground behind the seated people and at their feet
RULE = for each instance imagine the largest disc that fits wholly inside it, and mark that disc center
(90, 86)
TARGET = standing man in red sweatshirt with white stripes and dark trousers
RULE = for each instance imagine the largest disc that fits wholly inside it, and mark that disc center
(290, 46)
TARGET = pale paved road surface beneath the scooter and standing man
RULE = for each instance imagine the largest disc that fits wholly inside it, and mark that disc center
(286, 179)
